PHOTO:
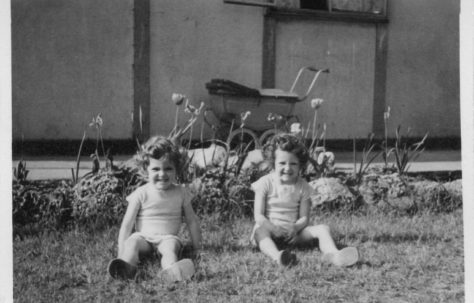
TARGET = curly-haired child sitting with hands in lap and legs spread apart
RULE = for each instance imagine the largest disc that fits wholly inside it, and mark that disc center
(282, 207)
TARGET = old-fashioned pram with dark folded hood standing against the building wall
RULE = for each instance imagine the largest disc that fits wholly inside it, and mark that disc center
(230, 101)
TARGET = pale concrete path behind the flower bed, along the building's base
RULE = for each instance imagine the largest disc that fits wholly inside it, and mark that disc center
(60, 167)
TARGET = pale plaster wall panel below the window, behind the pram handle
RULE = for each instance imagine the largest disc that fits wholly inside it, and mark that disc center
(348, 51)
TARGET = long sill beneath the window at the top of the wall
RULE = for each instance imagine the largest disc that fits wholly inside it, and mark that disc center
(342, 16)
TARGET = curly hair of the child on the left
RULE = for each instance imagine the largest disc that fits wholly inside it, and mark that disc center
(159, 147)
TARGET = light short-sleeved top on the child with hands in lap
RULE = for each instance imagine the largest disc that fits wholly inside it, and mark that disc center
(282, 200)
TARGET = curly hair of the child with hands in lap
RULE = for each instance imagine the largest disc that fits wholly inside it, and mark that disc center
(289, 143)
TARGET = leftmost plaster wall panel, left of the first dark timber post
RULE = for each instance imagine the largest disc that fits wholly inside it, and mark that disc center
(70, 61)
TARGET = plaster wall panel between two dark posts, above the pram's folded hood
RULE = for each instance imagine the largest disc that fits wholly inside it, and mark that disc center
(195, 41)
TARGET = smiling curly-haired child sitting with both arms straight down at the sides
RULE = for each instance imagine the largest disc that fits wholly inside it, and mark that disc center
(154, 216)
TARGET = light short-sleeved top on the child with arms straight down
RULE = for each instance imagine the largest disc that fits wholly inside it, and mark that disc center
(161, 211)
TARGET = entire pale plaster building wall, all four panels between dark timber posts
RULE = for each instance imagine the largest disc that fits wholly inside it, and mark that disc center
(73, 59)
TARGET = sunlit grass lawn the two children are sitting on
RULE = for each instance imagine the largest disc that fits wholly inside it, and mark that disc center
(404, 259)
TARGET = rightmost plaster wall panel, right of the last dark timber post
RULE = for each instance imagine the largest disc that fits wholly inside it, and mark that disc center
(423, 66)
